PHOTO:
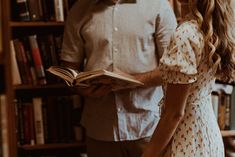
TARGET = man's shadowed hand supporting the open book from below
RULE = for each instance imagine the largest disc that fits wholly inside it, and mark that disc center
(94, 91)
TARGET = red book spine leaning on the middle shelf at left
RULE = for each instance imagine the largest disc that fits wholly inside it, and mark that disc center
(37, 59)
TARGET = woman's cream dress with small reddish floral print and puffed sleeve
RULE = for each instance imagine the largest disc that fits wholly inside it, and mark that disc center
(198, 134)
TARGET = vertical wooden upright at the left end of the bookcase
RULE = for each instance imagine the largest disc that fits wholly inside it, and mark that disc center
(11, 123)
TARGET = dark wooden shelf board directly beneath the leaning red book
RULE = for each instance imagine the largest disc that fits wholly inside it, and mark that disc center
(43, 90)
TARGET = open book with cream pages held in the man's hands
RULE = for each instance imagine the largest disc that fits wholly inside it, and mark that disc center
(72, 77)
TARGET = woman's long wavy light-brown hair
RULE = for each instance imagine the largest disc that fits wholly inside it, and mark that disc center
(216, 20)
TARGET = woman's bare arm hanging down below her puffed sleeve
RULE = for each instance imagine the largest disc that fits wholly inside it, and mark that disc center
(175, 103)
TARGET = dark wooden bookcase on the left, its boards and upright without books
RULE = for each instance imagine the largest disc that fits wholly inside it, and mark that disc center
(13, 28)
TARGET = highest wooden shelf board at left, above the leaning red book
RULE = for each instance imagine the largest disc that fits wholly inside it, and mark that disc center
(35, 24)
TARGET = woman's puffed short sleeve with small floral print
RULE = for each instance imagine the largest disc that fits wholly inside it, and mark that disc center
(180, 61)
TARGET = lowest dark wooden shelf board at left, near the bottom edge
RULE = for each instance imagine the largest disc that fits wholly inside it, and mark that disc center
(53, 146)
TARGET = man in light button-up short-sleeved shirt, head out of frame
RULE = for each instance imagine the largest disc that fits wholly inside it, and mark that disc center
(128, 36)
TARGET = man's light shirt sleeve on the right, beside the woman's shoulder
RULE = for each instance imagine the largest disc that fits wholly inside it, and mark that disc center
(165, 25)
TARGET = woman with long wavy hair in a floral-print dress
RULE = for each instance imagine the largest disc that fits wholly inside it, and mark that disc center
(201, 49)
